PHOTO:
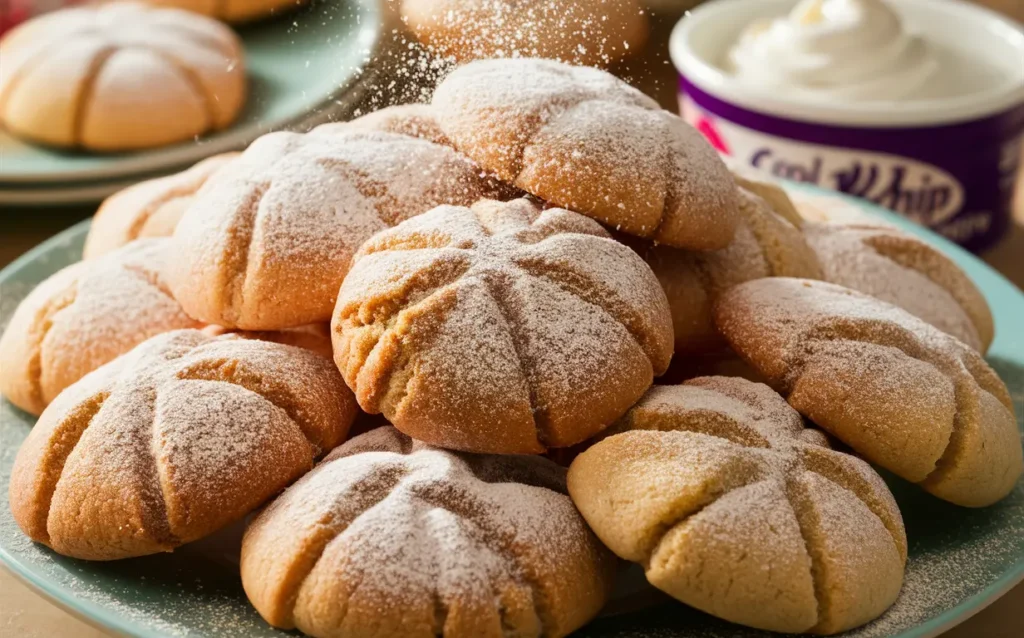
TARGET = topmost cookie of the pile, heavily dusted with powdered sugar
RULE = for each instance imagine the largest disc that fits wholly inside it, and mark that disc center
(582, 139)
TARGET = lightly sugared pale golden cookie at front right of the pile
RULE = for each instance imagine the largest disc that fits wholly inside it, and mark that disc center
(734, 508)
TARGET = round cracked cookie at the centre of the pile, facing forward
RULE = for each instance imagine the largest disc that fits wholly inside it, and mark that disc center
(500, 328)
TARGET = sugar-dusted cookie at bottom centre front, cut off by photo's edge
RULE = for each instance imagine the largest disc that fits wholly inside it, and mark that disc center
(390, 537)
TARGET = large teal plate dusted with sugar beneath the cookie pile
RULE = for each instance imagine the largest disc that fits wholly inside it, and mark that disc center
(960, 560)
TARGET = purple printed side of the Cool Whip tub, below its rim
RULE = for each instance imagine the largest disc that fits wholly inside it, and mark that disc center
(956, 180)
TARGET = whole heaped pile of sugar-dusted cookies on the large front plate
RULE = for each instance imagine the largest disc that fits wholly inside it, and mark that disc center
(503, 275)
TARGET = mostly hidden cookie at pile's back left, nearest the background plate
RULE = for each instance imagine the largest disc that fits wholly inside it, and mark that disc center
(151, 208)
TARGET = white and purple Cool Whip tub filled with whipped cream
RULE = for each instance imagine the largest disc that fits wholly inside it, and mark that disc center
(915, 105)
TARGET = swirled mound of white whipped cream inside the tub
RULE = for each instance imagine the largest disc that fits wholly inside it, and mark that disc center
(846, 50)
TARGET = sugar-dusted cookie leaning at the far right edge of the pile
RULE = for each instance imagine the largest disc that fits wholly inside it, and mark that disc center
(898, 391)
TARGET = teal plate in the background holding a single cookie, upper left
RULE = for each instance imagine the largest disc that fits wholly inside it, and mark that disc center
(297, 64)
